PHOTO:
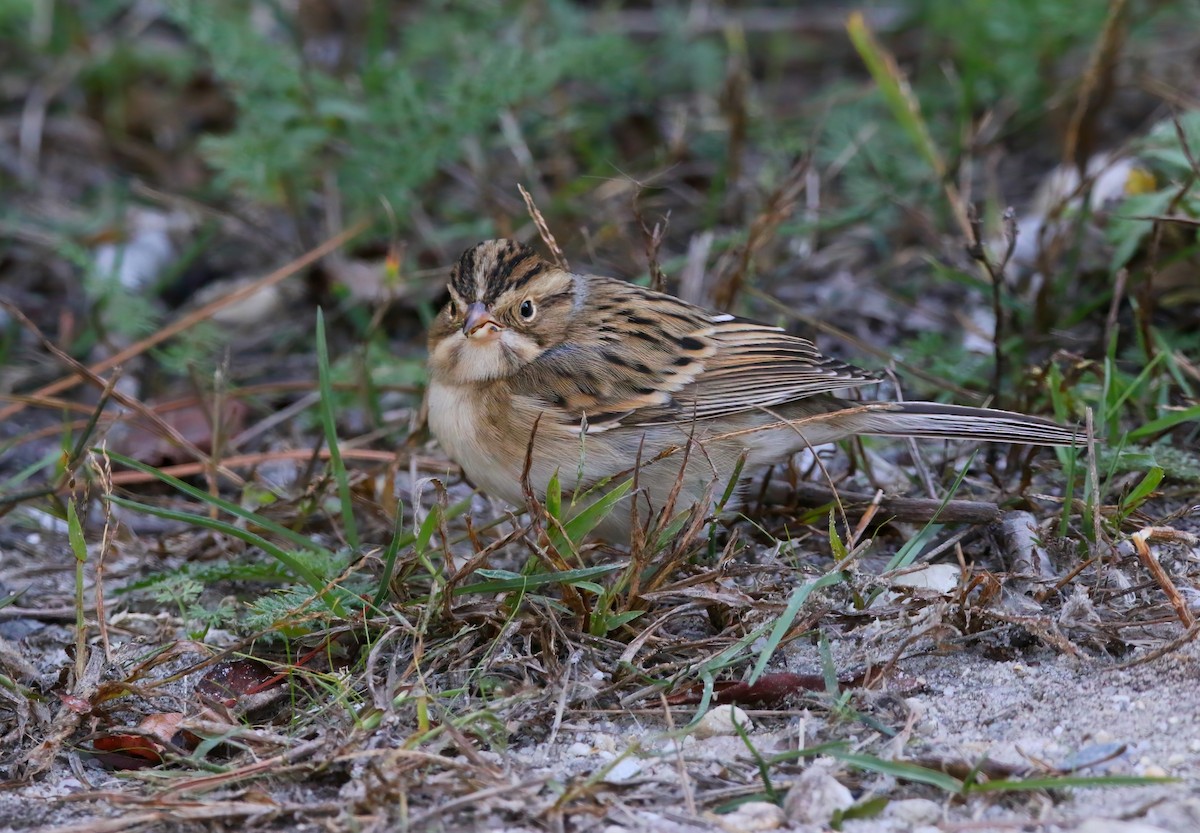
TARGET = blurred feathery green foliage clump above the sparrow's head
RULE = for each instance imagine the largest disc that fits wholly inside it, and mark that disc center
(405, 110)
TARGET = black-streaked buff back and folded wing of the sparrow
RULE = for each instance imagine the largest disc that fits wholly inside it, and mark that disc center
(651, 359)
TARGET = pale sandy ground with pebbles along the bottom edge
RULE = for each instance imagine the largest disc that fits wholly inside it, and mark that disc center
(1042, 706)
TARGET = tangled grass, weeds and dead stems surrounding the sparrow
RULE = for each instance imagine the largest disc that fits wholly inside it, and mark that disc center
(232, 560)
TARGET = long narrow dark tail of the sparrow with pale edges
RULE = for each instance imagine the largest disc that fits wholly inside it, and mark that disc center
(957, 422)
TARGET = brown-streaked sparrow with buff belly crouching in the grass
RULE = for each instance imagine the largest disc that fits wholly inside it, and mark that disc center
(595, 377)
